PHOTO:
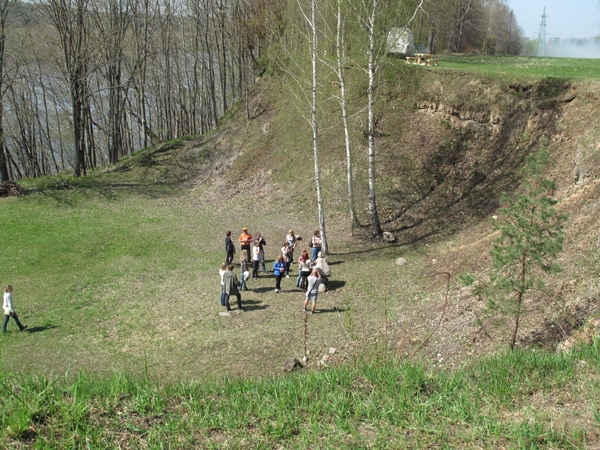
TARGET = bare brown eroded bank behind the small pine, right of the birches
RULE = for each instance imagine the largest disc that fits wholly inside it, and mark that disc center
(469, 138)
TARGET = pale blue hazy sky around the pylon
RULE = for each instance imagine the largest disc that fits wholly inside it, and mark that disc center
(564, 18)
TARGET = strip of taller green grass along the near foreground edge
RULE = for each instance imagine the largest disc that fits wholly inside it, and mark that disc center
(383, 404)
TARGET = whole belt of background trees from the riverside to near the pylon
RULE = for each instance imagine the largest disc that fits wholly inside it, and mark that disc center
(85, 82)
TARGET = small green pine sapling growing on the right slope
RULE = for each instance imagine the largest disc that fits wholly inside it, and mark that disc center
(531, 237)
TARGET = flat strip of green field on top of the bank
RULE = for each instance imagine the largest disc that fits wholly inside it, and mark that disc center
(524, 68)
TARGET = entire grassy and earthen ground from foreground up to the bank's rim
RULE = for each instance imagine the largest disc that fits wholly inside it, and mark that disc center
(116, 275)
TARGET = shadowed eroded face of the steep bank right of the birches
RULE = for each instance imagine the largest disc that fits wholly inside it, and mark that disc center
(461, 146)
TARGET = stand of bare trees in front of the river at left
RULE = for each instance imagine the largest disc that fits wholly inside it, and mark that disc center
(98, 78)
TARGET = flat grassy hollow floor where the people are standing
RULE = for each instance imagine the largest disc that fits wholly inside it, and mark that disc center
(129, 282)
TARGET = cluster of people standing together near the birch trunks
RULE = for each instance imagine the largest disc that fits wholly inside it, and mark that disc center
(311, 270)
